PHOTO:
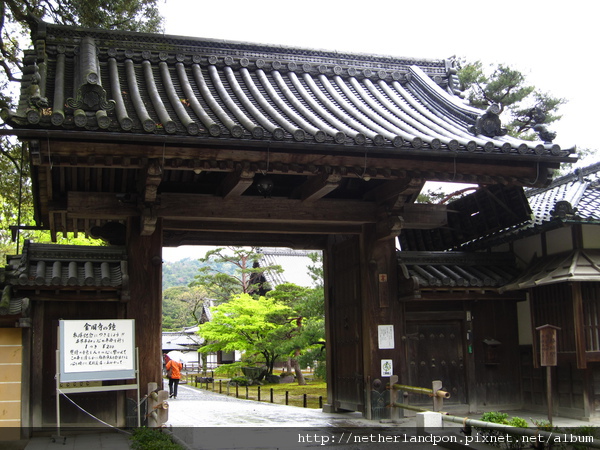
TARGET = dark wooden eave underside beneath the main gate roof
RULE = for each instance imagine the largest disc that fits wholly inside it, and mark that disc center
(208, 194)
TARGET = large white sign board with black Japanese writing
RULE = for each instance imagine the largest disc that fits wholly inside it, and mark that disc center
(97, 349)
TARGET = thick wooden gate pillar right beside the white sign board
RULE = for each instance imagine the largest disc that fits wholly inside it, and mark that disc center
(144, 265)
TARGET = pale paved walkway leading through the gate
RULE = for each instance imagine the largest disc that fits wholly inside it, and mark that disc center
(200, 419)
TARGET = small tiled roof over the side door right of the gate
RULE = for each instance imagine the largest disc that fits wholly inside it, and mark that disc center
(444, 270)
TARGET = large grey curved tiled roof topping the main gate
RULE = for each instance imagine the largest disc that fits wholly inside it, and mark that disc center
(217, 91)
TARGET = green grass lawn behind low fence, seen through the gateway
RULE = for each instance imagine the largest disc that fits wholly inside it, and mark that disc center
(295, 393)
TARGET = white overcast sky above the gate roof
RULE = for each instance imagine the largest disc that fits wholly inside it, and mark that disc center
(555, 44)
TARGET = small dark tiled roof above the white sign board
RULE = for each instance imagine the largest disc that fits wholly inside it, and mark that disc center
(64, 266)
